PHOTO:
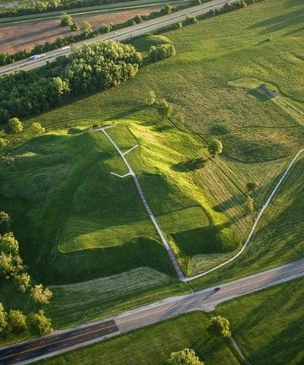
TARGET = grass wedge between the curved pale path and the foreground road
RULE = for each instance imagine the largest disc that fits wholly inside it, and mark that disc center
(278, 239)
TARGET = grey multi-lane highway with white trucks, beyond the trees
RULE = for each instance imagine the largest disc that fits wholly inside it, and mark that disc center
(119, 35)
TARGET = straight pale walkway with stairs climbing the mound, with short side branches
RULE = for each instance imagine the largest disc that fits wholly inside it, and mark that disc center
(144, 200)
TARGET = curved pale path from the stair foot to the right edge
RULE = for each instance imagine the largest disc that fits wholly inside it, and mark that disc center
(255, 223)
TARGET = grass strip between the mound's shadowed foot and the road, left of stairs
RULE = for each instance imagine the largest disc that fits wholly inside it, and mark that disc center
(100, 298)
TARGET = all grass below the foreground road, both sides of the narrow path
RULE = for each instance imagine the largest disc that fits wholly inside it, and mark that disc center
(267, 326)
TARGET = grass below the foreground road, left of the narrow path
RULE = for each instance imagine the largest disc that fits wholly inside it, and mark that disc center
(154, 344)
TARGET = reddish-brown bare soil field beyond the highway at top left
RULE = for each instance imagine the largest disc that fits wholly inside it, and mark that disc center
(25, 36)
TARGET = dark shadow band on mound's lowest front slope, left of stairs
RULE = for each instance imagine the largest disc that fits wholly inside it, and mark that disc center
(85, 265)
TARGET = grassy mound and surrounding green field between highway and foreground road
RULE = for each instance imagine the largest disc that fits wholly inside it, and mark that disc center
(76, 222)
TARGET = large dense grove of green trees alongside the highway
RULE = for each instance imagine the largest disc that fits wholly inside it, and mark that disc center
(93, 67)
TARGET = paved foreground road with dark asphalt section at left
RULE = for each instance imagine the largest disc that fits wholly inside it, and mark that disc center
(204, 300)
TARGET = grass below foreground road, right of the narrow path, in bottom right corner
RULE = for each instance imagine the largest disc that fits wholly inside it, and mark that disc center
(268, 325)
